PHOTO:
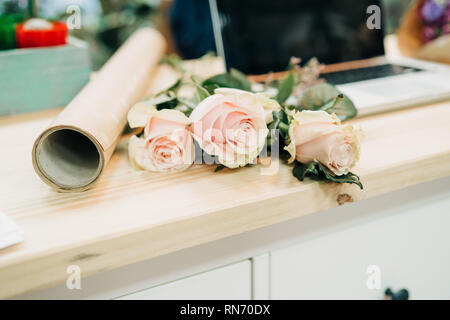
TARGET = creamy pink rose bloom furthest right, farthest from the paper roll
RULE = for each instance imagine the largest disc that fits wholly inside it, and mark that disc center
(319, 136)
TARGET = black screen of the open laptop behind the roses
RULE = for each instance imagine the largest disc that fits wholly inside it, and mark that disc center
(259, 36)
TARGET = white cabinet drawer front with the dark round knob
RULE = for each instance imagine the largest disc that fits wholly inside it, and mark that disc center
(409, 243)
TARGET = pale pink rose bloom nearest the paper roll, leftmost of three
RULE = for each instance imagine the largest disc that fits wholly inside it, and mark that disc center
(167, 143)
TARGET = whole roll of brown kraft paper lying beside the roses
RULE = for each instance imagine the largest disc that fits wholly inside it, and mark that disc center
(71, 154)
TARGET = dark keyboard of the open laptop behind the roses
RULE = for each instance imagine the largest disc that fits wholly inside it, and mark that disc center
(366, 73)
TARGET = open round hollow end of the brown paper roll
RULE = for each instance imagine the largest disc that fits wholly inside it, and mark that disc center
(67, 159)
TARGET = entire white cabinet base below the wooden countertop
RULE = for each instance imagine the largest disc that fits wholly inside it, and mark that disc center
(405, 235)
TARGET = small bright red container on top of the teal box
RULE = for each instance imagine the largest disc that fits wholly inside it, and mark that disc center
(41, 38)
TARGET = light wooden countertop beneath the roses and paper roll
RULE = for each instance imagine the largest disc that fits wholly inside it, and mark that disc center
(130, 216)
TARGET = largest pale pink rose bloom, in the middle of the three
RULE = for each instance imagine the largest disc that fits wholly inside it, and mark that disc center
(231, 125)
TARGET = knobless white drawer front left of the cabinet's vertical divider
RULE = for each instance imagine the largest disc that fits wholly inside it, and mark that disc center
(230, 282)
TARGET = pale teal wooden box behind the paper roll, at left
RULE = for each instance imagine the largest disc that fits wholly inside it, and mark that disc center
(42, 78)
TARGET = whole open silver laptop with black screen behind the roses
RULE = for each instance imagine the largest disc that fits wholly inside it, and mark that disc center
(260, 36)
